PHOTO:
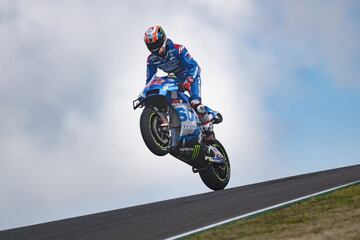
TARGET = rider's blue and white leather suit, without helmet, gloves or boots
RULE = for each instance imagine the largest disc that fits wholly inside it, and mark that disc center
(179, 62)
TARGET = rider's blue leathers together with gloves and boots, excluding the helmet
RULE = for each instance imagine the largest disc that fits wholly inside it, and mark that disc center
(179, 62)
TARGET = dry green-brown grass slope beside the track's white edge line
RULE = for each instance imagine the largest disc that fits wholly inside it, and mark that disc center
(335, 215)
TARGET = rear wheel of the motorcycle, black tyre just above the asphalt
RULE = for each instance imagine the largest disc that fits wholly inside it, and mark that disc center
(216, 177)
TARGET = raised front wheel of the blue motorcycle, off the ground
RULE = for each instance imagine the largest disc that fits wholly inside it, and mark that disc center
(156, 138)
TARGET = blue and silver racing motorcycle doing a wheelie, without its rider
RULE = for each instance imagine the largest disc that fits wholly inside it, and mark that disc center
(168, 124)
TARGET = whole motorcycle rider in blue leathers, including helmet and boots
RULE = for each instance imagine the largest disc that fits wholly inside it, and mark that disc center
(175, 59)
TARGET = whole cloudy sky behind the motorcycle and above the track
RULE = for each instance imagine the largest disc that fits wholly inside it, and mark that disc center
(284, 75)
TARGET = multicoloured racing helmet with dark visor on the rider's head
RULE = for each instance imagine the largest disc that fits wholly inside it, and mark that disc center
(155, 40)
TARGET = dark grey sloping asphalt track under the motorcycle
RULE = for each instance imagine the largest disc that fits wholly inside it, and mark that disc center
(165, 219)
